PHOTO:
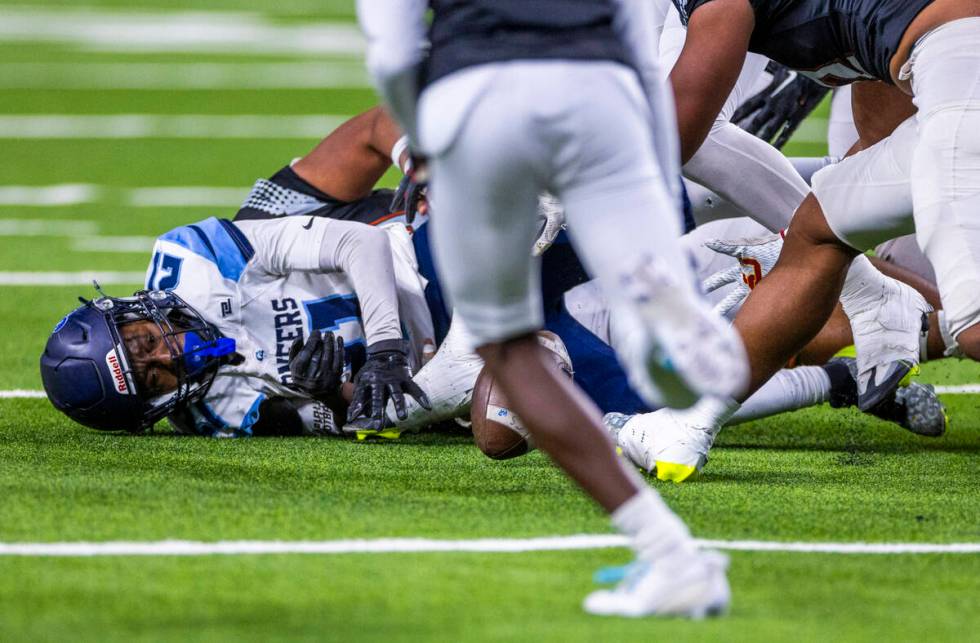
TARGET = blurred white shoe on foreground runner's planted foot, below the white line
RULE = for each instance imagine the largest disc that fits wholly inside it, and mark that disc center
(693, 586)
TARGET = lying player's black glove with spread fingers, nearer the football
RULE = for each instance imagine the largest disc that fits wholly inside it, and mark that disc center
(385, 376)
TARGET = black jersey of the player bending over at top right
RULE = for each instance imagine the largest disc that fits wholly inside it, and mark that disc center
(834, 42)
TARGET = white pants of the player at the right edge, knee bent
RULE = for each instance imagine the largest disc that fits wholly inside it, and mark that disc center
(926, 176)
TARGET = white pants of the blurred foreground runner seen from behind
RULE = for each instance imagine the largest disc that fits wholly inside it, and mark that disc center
(497, 136)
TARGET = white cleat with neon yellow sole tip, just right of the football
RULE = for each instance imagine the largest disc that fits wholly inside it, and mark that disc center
(665, 442)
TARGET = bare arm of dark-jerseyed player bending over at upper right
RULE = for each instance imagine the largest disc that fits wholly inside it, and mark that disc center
(718, 33)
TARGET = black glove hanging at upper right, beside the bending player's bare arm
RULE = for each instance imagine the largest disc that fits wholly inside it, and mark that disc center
(781, 107)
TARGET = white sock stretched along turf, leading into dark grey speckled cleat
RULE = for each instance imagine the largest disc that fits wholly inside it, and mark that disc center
(788, 390)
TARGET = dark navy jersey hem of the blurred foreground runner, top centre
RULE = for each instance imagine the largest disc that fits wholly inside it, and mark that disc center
(464, 33)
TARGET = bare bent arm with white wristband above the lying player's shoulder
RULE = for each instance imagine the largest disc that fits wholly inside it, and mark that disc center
(351, 159)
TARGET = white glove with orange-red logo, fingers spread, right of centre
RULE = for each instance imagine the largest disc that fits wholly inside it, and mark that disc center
(755, 256)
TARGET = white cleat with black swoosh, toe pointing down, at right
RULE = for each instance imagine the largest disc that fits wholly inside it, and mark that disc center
(887, 323)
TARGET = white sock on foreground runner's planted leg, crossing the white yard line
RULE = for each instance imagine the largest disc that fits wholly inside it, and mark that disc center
(655, 530)
